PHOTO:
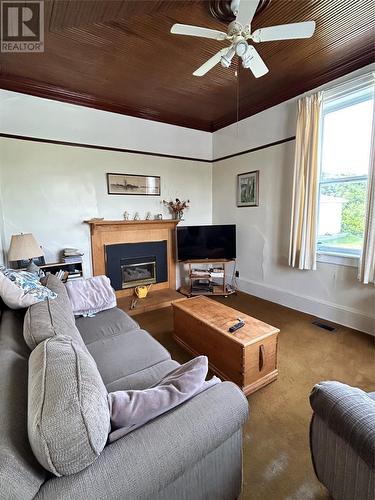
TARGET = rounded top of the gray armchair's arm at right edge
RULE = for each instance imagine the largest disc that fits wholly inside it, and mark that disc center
(350, 413)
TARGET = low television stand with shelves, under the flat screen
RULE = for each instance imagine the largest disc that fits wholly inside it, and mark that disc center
(209, 281)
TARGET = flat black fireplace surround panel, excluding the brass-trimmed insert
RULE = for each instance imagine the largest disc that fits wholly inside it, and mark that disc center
(118, 254)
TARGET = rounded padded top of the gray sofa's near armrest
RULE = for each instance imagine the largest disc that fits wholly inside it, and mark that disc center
(143, 462)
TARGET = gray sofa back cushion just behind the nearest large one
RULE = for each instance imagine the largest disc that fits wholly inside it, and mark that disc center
(51, 317)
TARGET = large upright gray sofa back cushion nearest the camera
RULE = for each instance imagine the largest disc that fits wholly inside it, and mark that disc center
(68, 416)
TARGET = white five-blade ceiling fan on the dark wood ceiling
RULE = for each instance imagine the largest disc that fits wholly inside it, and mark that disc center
(239, 31)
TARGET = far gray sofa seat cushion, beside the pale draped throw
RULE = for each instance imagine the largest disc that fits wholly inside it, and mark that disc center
(105, 324)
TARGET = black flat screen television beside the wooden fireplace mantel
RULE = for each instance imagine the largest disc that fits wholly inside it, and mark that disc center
(206, 242)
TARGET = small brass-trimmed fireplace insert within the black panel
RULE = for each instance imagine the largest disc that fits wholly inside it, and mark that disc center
(138, 271)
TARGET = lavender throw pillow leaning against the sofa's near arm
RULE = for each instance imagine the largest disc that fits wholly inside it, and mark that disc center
(132, 409)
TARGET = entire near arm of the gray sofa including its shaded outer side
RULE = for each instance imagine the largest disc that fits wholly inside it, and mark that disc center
(144, 464)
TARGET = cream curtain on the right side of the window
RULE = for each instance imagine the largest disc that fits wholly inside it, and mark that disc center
(367, 262)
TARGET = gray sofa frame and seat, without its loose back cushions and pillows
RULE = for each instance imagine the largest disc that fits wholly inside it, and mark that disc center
(191, 452)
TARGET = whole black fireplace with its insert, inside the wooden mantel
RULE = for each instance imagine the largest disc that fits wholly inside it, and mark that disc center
(132, 264)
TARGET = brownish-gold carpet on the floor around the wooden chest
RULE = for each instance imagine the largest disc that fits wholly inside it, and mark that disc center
(277, 462)
